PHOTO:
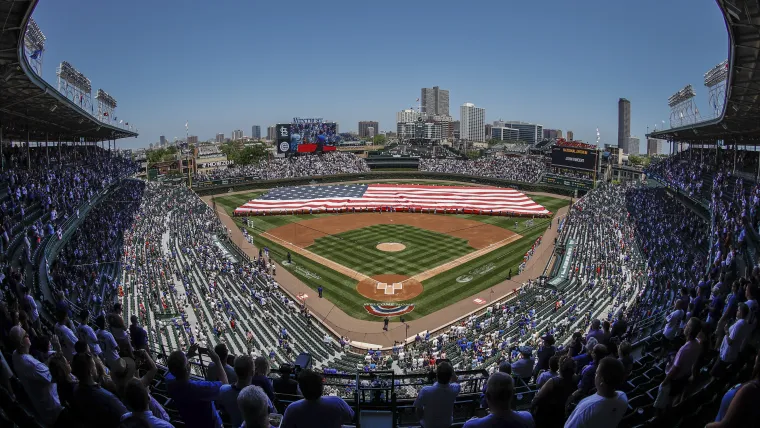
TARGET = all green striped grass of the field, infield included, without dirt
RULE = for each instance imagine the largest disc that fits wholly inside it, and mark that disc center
(439, 291)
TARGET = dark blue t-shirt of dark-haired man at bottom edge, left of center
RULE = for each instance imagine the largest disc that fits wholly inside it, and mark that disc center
(327, 412)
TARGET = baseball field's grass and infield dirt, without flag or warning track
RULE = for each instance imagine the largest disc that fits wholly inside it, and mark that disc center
(412, 261)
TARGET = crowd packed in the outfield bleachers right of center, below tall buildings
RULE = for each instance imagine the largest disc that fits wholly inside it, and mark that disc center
(516, 168)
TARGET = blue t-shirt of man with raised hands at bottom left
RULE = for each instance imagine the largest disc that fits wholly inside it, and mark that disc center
(195, 401)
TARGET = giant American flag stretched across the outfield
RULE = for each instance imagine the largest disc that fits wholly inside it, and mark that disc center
(390, 197)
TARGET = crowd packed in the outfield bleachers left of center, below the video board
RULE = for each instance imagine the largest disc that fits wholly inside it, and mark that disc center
(331, 163)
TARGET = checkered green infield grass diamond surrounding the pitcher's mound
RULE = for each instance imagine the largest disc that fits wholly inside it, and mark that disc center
(424, 250)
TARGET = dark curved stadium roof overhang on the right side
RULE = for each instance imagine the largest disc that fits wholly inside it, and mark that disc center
(740, 121)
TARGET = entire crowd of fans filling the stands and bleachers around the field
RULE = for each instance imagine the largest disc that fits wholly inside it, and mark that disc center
(157, 258)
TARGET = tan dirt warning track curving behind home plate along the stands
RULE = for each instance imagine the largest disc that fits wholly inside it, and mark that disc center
(371, 332)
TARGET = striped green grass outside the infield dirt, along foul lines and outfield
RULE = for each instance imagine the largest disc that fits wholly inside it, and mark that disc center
(441, 290)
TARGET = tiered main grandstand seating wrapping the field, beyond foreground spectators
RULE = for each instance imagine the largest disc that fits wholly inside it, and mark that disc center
(95, 237)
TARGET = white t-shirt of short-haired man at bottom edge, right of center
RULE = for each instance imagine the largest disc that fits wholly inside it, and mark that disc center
(597, 411)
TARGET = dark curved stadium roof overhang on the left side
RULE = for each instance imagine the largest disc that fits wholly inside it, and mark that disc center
(29, 106)
